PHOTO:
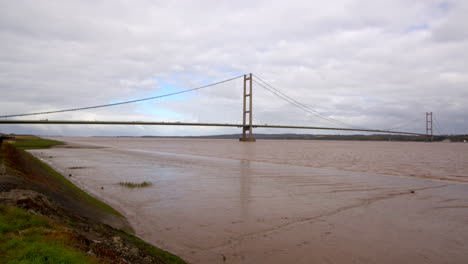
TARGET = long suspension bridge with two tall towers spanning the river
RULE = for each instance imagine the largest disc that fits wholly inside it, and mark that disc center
(247, 124)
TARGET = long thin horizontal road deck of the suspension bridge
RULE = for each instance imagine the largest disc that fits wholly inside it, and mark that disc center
(71, 122)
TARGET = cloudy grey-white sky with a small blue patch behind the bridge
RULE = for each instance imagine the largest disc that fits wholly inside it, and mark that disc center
(369, 63)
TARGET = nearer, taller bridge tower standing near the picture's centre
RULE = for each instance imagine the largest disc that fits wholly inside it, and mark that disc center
(247, 134)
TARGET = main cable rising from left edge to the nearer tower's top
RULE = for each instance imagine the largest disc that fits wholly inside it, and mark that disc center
(121, 103)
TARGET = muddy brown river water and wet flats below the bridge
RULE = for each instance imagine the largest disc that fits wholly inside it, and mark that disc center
(223, 201)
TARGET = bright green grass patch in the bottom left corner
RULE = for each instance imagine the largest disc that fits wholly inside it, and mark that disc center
(26, 238)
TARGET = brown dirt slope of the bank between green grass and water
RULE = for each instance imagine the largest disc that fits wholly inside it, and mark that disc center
(98, 231)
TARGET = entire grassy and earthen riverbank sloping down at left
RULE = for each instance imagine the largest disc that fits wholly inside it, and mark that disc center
(61, 223)
